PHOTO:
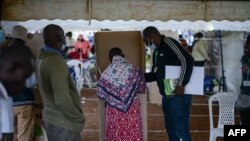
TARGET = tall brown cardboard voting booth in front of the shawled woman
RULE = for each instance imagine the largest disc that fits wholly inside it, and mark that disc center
(133, 47)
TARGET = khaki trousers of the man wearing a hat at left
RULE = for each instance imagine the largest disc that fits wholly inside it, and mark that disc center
(24, 122)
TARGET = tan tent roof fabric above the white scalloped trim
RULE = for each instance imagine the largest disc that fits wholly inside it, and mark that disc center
(150, 10)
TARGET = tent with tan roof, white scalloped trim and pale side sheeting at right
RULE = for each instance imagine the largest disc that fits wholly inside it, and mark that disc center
(206, 15)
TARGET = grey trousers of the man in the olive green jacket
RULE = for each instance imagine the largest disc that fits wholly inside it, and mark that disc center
(55, 133)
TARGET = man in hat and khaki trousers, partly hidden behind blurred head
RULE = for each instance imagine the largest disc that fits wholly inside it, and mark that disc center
(24, 114)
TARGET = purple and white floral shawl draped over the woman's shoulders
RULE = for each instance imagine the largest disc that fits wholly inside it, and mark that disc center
(119, 84)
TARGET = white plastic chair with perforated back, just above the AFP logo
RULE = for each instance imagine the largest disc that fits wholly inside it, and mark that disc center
(226, 101)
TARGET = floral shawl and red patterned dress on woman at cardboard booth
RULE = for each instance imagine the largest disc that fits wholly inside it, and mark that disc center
(119, 86)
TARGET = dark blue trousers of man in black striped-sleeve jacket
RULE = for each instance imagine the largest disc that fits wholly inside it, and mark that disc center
(176, 111)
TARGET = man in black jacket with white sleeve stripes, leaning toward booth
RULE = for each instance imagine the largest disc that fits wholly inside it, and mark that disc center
(176, 107)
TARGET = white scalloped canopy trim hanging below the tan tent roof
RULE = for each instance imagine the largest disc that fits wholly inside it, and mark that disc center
(76, 25)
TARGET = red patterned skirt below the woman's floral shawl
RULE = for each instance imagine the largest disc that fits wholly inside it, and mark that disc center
(122, 126)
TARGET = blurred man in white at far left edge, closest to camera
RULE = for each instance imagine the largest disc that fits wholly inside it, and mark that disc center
(17, 63)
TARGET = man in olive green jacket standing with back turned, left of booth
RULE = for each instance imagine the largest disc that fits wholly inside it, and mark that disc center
(63, 118)
